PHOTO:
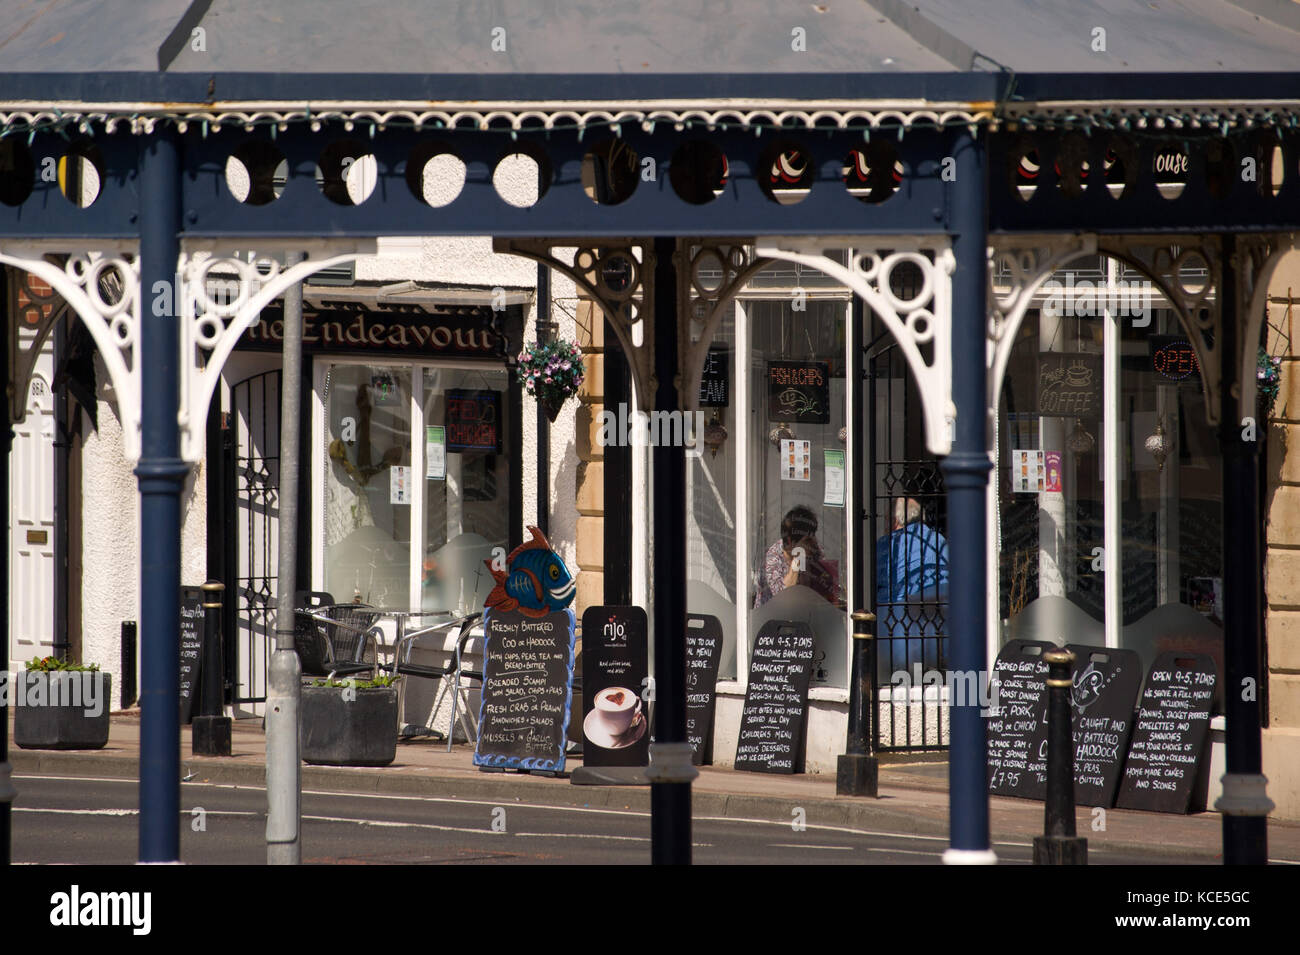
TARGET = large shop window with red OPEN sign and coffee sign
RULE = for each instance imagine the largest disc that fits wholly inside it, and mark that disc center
(1104, 355)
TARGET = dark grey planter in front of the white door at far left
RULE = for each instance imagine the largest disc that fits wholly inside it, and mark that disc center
(62, 710)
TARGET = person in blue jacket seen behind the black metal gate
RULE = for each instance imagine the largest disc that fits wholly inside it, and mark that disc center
(912, 592)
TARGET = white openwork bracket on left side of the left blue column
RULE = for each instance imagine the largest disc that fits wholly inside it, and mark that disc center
(102, 286)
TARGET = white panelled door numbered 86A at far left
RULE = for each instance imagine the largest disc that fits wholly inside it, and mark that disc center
(32, 522)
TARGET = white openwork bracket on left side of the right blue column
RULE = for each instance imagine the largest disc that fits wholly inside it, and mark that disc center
(922, 323)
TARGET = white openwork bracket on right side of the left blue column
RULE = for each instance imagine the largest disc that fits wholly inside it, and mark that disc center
(213, 323)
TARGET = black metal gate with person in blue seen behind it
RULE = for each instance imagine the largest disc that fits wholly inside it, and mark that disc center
(905, 554)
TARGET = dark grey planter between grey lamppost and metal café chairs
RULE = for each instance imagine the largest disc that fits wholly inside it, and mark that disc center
(358, 730)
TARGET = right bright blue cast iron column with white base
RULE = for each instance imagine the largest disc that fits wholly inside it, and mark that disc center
(967, 474)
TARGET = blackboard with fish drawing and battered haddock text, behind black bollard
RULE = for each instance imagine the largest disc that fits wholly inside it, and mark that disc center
(1102, 714)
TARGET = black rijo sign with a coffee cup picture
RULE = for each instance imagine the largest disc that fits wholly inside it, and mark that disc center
(616, 670)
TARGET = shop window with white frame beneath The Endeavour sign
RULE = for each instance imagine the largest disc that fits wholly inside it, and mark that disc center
(417, 483)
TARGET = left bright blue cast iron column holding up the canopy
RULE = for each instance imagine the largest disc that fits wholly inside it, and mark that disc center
(162, 475)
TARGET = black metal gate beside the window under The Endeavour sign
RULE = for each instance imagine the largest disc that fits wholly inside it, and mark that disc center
(253, 472)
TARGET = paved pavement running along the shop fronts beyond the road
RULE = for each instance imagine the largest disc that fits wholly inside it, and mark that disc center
(913, 796)
